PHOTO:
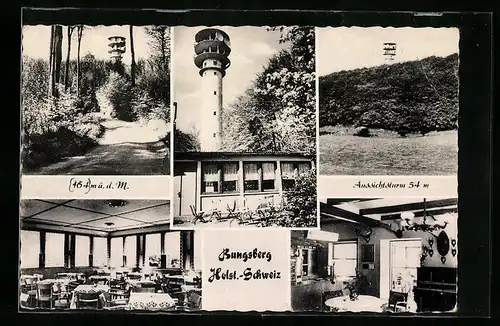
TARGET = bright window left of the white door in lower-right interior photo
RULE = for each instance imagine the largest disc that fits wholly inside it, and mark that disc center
(345, 259)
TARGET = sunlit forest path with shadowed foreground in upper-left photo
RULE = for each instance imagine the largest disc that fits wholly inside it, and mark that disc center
(126, 148)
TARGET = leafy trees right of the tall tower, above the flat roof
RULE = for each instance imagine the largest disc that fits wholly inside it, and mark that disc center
(278, 112)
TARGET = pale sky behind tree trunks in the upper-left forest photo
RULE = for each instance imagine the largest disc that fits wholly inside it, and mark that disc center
(36, 41)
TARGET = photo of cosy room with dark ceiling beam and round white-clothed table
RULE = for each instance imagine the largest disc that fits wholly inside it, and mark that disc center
(378, 255)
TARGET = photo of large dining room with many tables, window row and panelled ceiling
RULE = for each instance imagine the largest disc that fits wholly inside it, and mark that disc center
(106, 255)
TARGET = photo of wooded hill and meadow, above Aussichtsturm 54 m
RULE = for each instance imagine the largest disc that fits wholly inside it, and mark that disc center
(388, 100)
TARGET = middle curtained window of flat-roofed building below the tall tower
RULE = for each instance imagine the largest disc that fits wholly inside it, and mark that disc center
(259, 176)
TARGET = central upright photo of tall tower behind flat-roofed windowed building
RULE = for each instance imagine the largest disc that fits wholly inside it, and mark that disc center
(245, 127)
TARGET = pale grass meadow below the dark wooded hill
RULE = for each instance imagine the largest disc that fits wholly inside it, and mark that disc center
(386, 153)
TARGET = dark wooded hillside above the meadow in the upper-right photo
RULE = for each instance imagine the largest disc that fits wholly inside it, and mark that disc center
(416, 96)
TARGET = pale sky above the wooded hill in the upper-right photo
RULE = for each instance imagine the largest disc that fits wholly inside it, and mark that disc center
(347, 48)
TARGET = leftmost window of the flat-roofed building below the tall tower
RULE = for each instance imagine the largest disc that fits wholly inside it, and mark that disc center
(220, 177)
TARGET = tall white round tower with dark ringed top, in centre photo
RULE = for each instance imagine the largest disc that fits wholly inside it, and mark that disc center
(212, 47)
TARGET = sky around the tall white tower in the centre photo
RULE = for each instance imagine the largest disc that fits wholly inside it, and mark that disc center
(251, 48)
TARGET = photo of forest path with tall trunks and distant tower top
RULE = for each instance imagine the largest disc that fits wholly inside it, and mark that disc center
(95, 100)
